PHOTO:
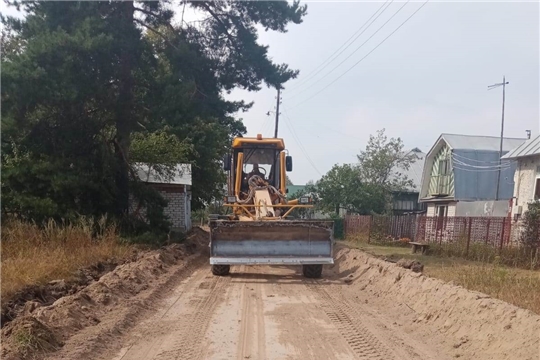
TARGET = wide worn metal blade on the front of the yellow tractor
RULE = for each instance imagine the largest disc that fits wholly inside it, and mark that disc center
(271, 242)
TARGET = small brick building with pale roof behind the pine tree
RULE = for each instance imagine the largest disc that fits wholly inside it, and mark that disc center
(175, 189)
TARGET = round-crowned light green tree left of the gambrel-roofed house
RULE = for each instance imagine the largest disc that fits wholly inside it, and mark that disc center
(383, 161)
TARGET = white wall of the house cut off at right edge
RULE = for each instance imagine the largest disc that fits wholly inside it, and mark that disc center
(524, 182)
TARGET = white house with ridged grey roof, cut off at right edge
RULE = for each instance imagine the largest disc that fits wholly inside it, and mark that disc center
(527, 176)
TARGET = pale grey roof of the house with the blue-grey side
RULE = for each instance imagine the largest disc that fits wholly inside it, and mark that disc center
(489, 143)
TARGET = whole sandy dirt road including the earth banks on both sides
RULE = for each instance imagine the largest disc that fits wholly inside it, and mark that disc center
(167, 305)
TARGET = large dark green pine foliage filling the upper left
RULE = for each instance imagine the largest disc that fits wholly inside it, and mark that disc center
(89, 88)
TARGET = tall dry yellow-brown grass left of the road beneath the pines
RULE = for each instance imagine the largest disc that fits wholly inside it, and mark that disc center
(35, 255)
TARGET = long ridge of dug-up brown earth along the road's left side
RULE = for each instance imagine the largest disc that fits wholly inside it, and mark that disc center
(110, 302)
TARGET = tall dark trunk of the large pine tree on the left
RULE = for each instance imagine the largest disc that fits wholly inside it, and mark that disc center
(125, 118)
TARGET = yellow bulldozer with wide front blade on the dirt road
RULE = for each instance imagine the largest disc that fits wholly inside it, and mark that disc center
(259, 229)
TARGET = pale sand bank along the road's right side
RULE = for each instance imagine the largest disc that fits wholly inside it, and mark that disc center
(482, 327)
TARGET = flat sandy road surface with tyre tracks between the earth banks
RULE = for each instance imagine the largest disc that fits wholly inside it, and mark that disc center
(267, 313)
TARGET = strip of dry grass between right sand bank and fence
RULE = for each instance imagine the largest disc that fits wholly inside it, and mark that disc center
(511, 284)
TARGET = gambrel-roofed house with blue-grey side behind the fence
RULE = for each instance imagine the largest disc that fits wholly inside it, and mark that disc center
(460, 176)
